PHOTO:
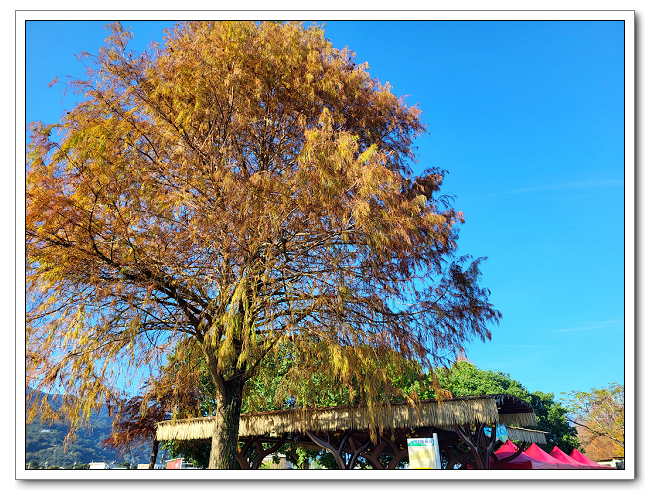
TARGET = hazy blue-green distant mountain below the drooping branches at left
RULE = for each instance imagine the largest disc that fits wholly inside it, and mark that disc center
(44, 443)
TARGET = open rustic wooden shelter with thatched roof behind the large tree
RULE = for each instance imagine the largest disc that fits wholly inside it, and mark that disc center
(379, 435)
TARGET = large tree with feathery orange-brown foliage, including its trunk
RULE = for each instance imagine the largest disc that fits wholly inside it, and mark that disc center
(245, 184)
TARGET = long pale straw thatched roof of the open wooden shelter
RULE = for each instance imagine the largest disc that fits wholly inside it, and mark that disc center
(491, 409)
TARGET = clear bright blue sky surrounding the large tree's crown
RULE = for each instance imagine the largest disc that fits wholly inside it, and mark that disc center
(527, 117)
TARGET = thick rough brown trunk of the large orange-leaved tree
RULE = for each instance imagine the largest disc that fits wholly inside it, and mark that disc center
(226, 430)
